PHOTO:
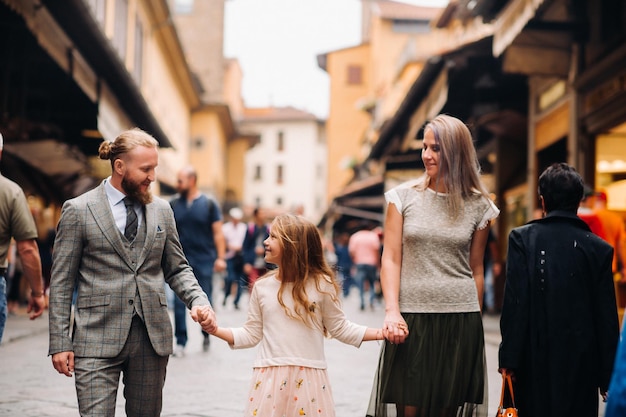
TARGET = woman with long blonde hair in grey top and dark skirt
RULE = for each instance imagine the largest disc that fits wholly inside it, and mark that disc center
(432, 279)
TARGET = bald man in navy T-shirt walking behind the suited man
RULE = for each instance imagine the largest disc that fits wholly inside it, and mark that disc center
(199, 224)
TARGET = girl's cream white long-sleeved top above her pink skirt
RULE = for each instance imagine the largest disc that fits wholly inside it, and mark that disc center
(289, 341)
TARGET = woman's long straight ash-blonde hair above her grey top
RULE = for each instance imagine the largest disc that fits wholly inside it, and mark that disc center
(459, 169)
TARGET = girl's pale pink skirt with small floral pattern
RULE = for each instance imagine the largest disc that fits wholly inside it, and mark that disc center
(290, 391)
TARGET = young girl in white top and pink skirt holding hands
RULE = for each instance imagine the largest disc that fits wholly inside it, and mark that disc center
(291, 309)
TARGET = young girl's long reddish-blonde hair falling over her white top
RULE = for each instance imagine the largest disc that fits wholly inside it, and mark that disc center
(302, 261)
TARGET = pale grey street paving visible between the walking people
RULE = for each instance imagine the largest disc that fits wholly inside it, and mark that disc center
(211, 384)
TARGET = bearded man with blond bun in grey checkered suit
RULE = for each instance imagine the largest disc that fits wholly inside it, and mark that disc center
(117, 244)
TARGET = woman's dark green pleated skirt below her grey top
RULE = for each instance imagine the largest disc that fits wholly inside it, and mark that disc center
(439, 371)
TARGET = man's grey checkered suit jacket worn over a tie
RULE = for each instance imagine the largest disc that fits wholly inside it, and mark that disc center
(92, 253)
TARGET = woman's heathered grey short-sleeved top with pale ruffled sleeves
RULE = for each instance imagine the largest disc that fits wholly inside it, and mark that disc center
(435, 275)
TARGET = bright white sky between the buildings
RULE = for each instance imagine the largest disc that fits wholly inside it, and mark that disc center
(277, 43)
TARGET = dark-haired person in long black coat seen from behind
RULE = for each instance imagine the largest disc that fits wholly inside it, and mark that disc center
(559, 320)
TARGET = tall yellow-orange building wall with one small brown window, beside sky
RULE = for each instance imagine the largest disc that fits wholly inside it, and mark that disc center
(346, 124)
